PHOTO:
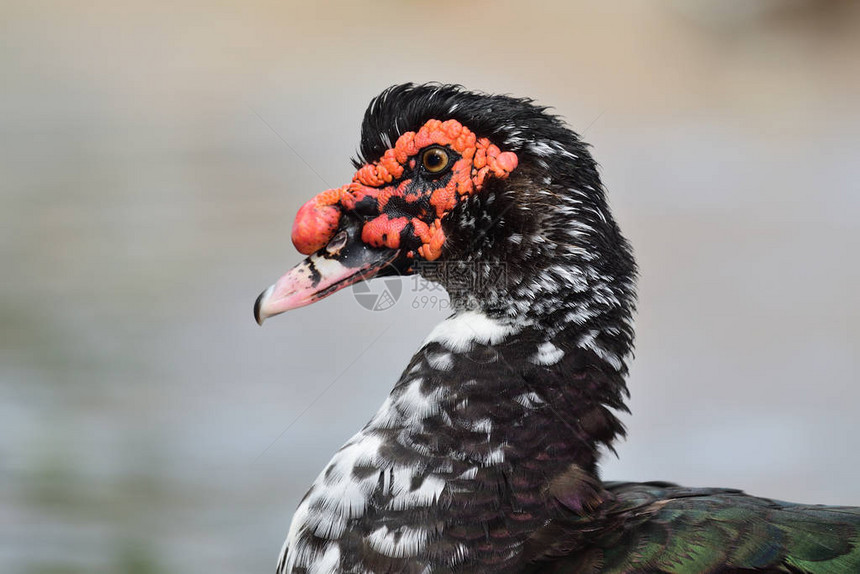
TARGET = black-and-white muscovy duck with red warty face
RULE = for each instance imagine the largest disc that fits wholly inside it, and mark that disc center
(484, 456)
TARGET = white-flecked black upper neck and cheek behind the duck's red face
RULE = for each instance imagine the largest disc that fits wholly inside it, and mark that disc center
(548, 255)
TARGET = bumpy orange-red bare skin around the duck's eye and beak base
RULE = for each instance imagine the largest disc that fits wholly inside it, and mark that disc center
(318, 219)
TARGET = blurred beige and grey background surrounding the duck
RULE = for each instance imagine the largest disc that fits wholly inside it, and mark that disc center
(152, 159)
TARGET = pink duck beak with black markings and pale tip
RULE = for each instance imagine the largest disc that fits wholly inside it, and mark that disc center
(346, 260)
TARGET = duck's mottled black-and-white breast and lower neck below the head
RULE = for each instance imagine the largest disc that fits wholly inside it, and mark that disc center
(453, 470)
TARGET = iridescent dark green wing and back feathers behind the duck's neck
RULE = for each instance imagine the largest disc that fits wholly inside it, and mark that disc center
(681, 530)
